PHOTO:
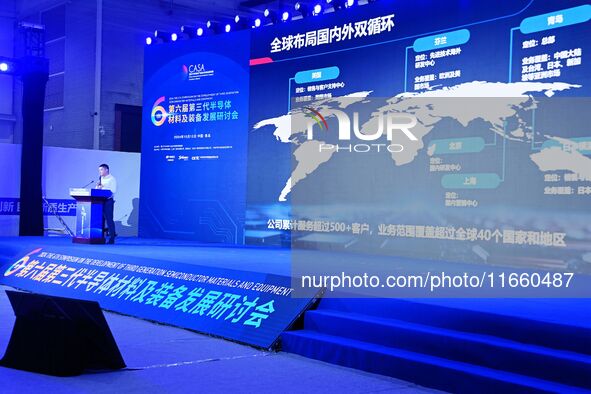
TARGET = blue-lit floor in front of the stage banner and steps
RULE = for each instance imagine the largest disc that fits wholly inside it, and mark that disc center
(163, 359)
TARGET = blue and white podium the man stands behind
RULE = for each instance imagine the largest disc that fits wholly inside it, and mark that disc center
(89, 215)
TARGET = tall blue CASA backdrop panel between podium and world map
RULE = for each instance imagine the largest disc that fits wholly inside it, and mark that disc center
(194, 139)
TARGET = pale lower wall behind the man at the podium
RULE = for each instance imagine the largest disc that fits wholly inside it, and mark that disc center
(64, 168)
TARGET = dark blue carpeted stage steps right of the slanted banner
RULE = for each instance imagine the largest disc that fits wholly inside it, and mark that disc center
(450, 349)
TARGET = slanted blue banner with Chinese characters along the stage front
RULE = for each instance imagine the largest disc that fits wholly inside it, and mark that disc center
(247, 307)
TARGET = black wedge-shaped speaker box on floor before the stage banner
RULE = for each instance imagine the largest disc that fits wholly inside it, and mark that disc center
(59, 336)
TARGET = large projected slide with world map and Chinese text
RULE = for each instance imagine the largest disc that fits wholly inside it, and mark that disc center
(392, 130)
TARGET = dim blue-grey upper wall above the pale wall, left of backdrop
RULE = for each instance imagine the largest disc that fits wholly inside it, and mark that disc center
(125, 26)
